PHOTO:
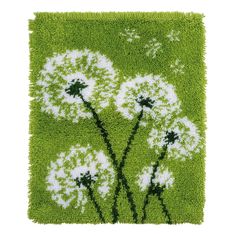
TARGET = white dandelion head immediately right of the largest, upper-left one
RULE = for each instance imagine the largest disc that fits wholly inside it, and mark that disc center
(149, 93)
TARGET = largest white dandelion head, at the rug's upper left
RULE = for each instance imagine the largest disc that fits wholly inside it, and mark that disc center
(66, 76)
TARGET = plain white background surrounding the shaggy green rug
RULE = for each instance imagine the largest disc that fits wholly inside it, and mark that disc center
(220, 208)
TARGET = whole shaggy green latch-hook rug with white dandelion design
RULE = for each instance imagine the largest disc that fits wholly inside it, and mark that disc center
(117, 118)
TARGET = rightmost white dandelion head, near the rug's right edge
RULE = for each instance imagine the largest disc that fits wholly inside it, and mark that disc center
(181, 138)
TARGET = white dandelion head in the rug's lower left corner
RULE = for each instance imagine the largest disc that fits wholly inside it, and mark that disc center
(71, 173)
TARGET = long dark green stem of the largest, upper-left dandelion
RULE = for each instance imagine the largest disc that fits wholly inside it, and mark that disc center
(120, 175)
